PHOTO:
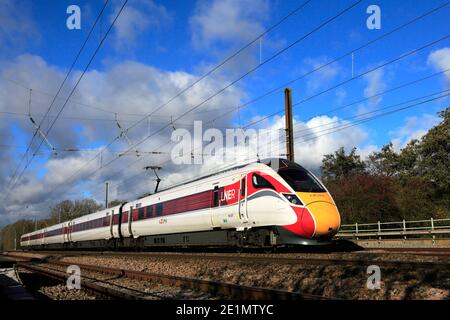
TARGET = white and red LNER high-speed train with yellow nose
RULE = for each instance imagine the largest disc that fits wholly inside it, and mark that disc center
(252, 205)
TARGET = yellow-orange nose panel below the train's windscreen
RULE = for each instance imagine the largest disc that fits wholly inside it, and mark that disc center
(326, 217)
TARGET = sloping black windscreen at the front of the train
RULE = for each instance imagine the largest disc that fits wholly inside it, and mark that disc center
(301, 180)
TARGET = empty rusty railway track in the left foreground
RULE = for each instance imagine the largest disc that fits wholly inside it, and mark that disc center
(214, 288)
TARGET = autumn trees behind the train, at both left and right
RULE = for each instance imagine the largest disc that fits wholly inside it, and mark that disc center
(413, 183)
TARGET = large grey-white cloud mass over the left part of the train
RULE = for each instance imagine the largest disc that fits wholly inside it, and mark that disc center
(127, 88)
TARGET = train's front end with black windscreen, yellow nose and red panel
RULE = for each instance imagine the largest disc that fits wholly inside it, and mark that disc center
(319, 219)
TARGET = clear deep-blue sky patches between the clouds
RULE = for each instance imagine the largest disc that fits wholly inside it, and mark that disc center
(168, 45)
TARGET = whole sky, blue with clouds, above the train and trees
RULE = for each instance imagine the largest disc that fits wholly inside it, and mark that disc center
(158, 47)
